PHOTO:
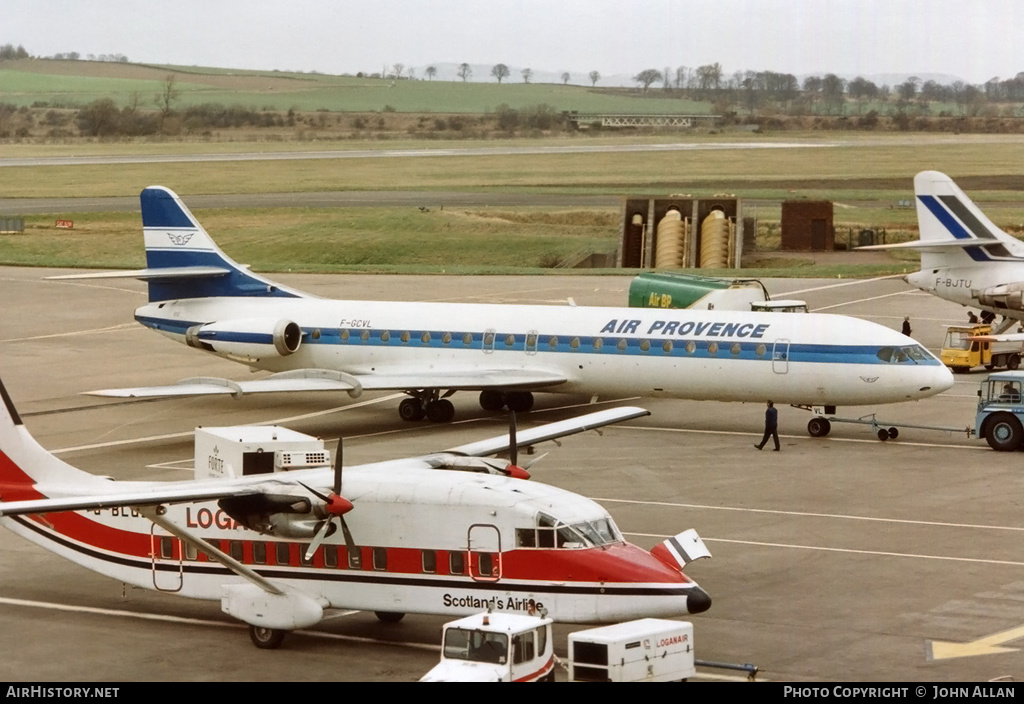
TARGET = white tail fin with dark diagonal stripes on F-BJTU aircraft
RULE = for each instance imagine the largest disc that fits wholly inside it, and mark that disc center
(954, 231)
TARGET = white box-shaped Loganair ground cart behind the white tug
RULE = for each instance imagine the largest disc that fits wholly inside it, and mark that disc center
(646, 650)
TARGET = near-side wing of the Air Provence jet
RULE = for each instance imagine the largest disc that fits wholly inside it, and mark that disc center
(325, 380)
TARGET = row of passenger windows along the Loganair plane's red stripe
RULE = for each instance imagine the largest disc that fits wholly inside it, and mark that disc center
(335, 557)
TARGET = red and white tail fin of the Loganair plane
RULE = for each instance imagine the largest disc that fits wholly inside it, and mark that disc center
(26, 467)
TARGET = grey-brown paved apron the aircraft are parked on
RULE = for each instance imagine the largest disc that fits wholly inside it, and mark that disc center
(838, 559)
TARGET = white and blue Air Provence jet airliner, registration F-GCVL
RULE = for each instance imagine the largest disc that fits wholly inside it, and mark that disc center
(200, 297)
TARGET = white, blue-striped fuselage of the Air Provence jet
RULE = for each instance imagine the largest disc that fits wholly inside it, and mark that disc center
(809, 360)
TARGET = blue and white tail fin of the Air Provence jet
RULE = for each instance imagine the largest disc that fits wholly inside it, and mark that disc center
(184, 261)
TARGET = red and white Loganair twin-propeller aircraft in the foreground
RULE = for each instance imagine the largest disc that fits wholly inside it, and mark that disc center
(450, 534)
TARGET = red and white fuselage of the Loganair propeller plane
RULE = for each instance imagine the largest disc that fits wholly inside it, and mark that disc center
(434, 542)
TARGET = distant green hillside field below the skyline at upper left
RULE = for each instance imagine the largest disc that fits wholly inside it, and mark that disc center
(76, 83)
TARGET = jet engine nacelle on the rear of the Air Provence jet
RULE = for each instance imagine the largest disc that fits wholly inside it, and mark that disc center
(249, 338)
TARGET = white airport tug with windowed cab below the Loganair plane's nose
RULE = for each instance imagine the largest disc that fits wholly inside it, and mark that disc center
(496, 647)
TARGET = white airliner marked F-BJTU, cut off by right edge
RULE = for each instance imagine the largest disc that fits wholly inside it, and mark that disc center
(965, 258)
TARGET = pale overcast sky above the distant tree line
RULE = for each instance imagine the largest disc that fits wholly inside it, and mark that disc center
(974, 40)
